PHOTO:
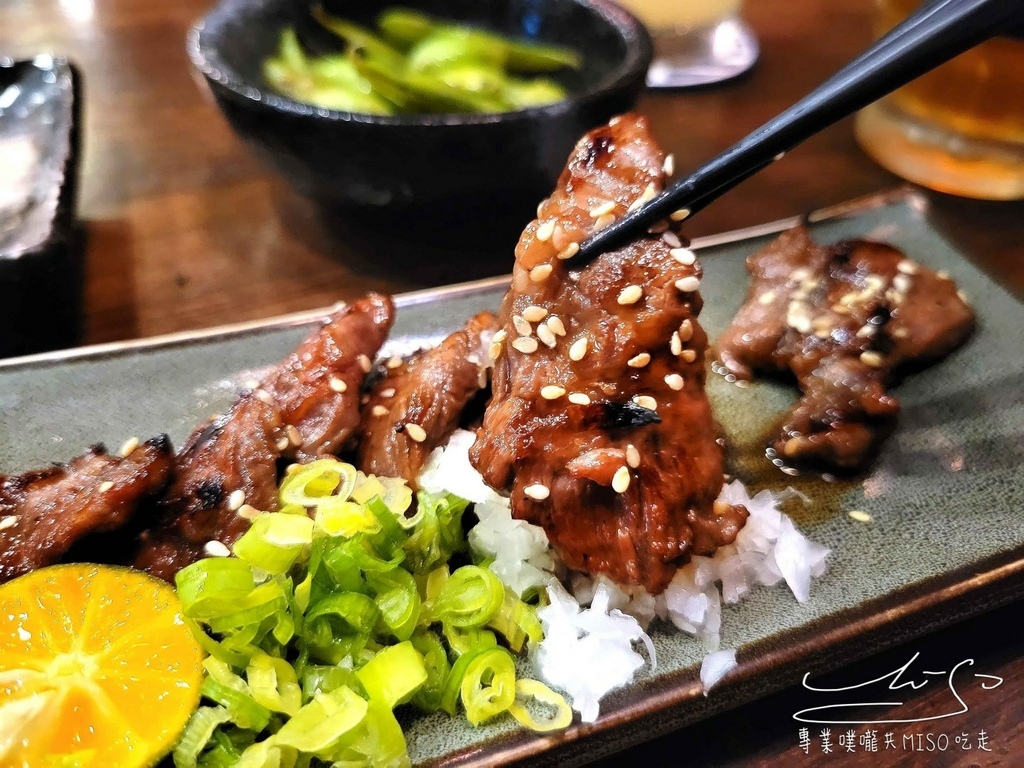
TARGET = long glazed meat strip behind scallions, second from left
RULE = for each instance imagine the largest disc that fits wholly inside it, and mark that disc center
(306, 408)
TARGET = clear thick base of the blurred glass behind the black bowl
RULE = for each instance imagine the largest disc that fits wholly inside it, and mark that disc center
(703, 56)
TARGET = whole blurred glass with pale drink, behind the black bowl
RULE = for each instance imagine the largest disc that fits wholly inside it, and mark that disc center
(697, 42)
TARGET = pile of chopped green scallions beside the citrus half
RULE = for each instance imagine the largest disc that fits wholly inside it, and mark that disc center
(339, 609)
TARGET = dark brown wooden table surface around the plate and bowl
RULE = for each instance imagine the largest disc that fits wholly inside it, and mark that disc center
(186, 230)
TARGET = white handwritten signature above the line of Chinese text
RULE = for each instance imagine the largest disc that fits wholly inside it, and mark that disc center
(895, 688)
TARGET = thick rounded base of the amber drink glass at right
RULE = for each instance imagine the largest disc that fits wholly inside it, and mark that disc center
(940, 159)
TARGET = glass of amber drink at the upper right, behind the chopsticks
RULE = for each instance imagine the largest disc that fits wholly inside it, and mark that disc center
(959, 129)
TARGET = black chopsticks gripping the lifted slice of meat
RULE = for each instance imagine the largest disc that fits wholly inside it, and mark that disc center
(933, 35)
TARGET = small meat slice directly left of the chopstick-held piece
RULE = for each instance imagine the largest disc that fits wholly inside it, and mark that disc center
(416, 406)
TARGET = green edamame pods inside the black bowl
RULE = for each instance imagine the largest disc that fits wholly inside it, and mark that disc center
(417, 64)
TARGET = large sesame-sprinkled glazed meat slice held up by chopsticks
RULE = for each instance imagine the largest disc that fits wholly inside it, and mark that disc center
(599, 425)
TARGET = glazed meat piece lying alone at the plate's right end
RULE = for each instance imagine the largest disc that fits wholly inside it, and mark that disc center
(847, 320)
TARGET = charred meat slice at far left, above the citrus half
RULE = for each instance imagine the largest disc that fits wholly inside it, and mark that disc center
(44, 514)
